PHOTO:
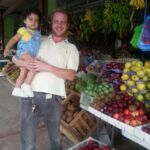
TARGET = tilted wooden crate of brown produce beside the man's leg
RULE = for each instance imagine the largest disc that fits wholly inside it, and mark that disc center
(79, 123)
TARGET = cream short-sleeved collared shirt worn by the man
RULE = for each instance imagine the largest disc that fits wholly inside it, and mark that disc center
(62, 55)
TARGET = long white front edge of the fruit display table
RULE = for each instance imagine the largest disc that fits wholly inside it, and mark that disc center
(133, 133)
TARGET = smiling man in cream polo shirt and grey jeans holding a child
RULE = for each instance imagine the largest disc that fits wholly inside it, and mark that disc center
(58, 61)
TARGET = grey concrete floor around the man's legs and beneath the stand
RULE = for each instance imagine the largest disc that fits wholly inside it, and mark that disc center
(9, 125)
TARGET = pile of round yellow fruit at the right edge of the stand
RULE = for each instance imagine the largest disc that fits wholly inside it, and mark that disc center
(136, 75)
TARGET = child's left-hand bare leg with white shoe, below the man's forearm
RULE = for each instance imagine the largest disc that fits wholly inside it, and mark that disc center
(17, 90)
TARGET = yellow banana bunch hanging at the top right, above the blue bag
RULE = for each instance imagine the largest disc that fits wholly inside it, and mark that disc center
(137, 4)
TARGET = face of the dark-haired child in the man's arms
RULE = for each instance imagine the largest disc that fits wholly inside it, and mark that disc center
(32, 21)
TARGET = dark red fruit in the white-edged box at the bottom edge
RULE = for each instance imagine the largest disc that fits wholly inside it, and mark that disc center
(94, 145)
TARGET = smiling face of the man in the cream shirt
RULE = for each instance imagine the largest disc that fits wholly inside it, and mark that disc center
(59, 24)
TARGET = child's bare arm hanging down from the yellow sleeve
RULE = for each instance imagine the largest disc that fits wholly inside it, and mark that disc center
(11, 42)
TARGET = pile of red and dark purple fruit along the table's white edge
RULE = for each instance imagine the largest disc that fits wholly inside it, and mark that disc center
(125, 109)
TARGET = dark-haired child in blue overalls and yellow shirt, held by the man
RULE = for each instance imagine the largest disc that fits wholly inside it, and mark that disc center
(28, 38)
